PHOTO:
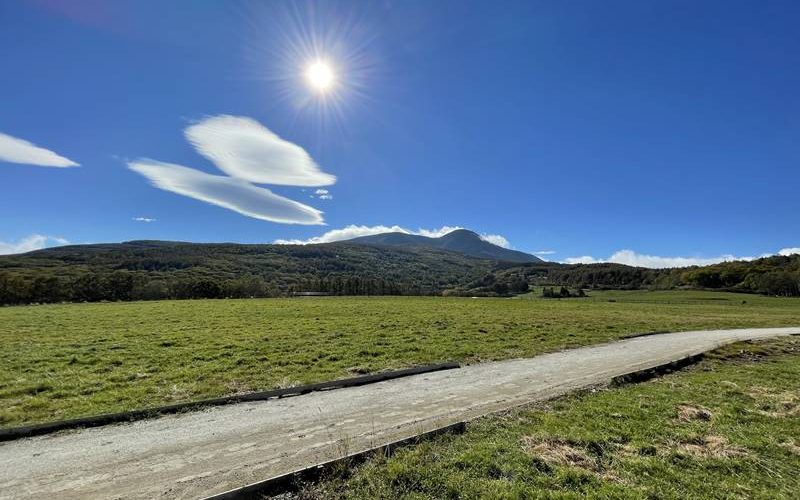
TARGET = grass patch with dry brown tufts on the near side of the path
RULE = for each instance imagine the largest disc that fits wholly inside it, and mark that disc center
(727, 428)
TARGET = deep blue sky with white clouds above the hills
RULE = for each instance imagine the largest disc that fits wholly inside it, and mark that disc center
(669, 129)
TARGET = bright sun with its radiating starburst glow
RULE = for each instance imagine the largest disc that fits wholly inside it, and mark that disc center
(319, 61)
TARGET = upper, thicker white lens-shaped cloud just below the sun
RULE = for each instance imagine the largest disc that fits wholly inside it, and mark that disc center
(243, 148)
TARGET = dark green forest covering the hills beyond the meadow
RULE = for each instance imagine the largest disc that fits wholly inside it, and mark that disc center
(149, 270)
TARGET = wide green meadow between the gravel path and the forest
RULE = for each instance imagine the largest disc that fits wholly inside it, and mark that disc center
(65, 361)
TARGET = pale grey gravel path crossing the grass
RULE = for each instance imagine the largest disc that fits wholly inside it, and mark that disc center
(197, 454)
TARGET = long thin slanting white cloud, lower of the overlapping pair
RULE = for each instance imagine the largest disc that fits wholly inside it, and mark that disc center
(227, 192)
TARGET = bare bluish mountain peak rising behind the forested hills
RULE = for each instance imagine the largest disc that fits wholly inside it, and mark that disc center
(461, 240)
